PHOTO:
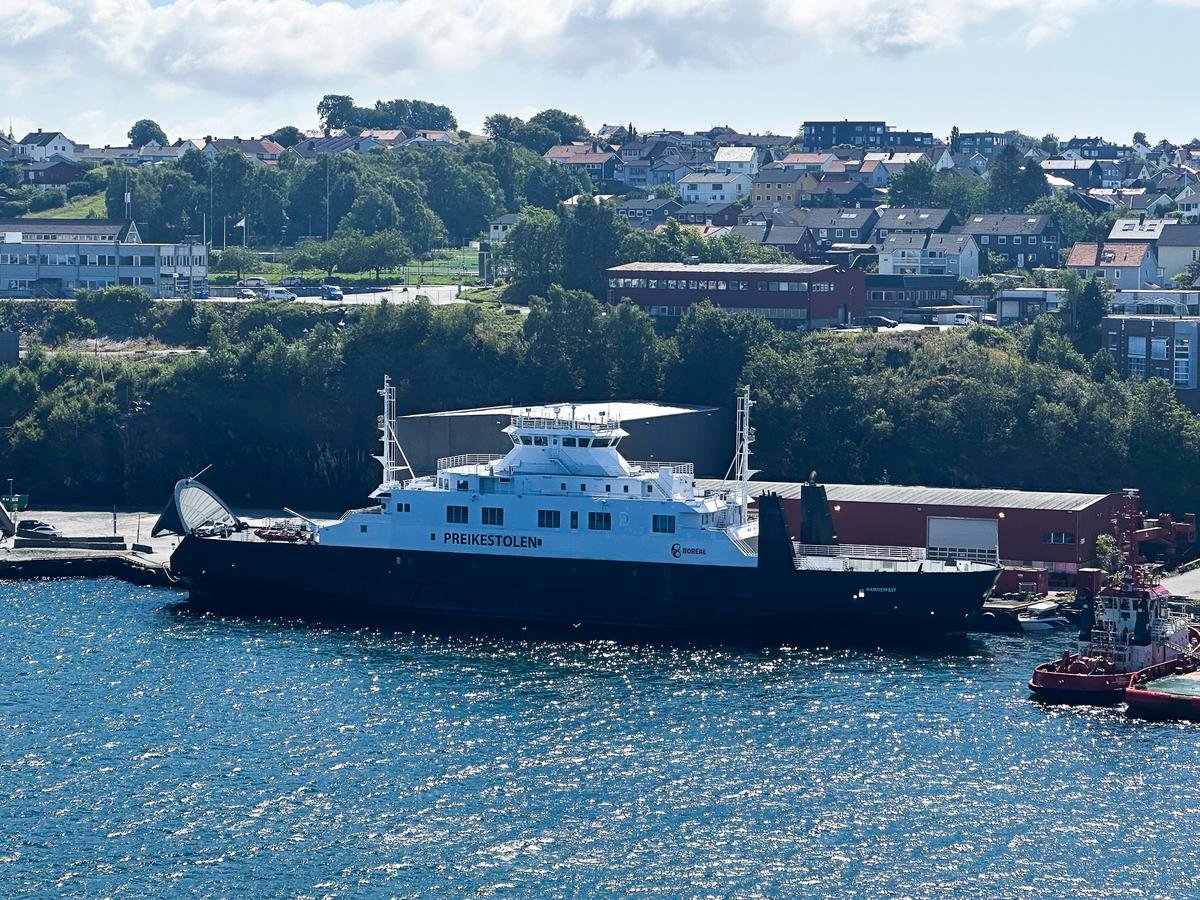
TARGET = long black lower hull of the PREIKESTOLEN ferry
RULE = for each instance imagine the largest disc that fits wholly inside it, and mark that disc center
(248, 577)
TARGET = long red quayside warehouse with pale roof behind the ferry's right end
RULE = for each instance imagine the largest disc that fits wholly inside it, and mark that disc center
(1054, 532)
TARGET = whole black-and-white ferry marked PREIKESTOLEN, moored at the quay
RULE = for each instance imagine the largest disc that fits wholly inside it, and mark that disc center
(563, 531)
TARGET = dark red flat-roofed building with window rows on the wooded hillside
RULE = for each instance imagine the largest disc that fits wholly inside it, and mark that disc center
(793, 297)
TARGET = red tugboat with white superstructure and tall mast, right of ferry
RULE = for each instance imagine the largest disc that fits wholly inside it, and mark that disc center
(1129, 628)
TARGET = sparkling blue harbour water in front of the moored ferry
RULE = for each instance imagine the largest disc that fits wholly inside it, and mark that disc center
(149, 752)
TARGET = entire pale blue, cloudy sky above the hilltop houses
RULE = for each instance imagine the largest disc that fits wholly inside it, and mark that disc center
(245, 68)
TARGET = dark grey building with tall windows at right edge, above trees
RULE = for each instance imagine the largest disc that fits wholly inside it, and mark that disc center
(1157, 347)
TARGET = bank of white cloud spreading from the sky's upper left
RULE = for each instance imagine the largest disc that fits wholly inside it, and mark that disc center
(265, 55)
